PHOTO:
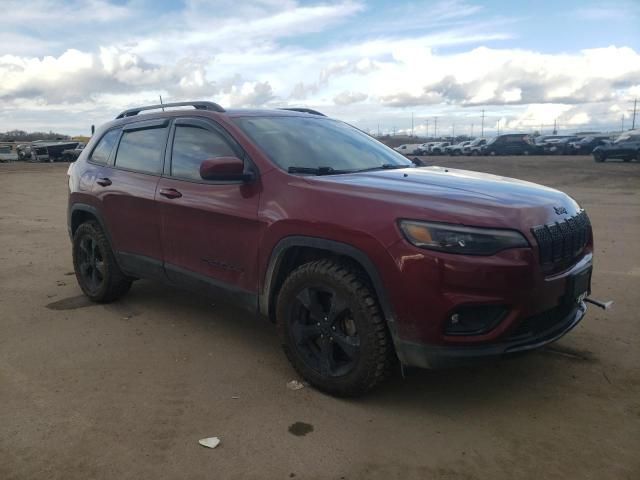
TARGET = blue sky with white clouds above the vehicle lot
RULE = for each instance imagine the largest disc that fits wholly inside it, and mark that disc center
(67, 64)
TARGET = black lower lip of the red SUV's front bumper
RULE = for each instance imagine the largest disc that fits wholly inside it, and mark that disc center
(439, 356)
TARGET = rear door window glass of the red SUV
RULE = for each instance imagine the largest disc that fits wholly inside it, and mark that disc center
(141, 150)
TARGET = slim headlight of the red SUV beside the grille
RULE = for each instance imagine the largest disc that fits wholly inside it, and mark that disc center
(458, 239)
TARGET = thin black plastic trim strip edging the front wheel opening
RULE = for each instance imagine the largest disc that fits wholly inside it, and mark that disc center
(278, 254)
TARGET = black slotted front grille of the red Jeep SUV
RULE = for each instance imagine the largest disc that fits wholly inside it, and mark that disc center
(560, 243)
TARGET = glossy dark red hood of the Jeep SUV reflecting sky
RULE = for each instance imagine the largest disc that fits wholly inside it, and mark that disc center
(446, 194)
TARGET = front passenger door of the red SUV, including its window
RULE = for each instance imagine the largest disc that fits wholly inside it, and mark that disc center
(210, 230)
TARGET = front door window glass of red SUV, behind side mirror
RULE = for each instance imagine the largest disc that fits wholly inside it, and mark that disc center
(191, 146)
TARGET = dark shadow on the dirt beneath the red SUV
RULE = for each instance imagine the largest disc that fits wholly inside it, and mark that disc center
(446, 391)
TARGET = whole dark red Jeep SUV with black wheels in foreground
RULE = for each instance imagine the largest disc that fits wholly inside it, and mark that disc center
(361, 258)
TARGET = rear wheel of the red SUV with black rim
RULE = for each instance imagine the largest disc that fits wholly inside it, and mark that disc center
(95, 266)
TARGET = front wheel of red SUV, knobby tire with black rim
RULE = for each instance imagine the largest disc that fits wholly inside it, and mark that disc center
(332, 329)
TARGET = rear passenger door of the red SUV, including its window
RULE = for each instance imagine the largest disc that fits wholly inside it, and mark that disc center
(126, 188)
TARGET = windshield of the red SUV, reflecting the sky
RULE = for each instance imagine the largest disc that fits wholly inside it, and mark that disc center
(318, 143)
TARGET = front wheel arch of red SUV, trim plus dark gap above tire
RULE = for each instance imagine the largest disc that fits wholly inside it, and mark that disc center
(291, 252)
